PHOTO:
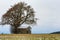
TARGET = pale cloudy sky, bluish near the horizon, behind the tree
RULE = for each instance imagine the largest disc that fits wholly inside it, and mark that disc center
(47, 12)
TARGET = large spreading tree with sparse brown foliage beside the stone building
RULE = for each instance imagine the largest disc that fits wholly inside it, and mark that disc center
(19, 14)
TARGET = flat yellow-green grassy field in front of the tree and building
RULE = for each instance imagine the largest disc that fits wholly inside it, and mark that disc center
(29, 36)
